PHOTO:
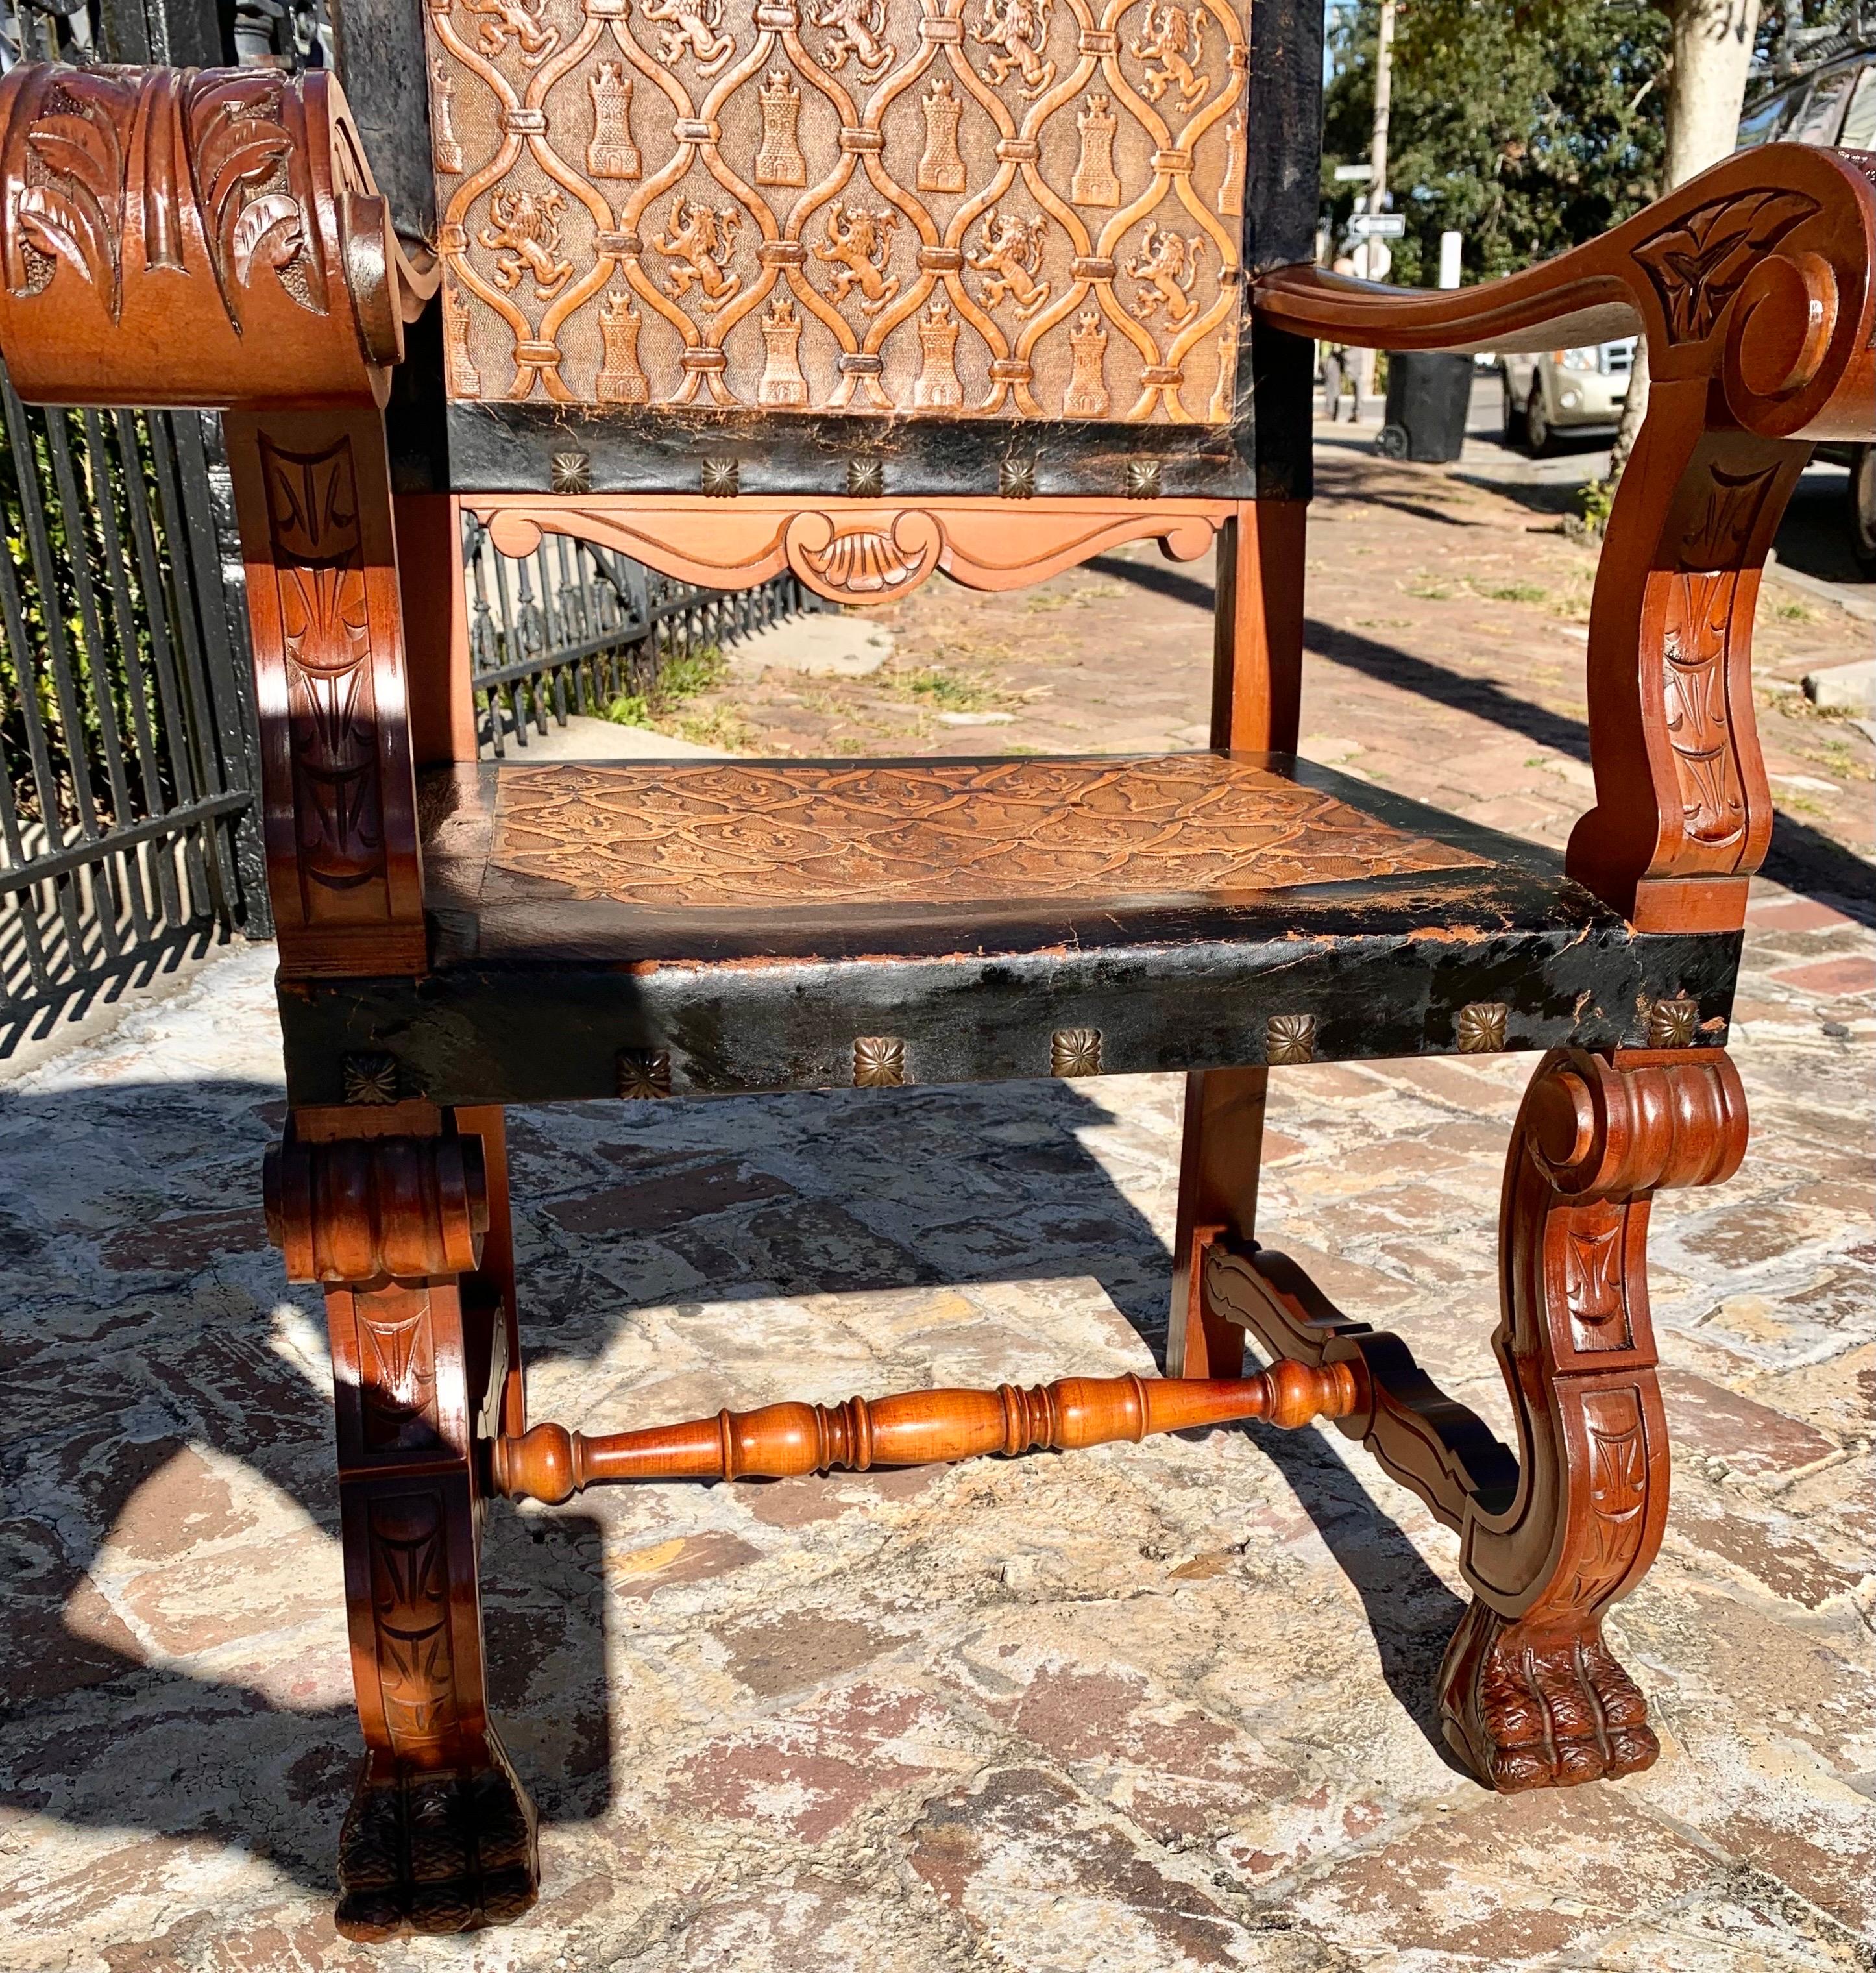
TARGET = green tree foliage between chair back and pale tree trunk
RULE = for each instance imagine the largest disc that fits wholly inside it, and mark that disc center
(1526, 125)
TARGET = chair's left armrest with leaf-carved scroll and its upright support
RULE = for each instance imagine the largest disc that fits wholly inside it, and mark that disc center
(212, 238)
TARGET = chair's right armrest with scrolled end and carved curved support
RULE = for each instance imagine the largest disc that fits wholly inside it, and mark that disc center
(1753, 287)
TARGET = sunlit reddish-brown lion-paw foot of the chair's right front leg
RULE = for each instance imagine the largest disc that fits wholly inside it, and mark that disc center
(1532, 1708)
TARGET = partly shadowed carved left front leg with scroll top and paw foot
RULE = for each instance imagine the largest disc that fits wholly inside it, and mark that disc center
(441, 1836)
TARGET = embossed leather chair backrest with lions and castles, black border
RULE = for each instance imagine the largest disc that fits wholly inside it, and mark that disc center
(691, 216)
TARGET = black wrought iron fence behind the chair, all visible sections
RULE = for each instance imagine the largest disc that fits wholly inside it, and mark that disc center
(129, 763)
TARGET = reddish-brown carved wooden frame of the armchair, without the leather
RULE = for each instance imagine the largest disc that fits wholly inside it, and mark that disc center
(1753, 287)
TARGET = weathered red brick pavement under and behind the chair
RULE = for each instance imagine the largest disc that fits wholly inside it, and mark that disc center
(1159, 1706)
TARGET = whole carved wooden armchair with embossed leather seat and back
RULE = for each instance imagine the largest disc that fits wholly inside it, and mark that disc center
(873, 291)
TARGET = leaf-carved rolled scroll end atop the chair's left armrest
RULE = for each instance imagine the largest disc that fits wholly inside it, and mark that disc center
(194, 238)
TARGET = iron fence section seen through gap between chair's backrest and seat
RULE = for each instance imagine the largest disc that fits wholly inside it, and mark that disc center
(575, 628)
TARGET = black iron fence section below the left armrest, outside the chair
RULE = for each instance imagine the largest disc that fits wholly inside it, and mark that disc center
(127, 749)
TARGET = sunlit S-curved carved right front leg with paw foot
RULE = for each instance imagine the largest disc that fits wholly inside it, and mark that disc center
(1530, 1694)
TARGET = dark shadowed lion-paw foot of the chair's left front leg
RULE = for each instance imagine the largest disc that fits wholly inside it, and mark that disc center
(437, 1850)
